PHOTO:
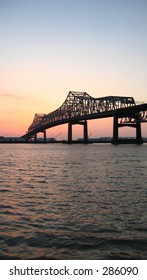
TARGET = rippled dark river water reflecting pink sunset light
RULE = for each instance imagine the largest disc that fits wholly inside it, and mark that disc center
(73, 201)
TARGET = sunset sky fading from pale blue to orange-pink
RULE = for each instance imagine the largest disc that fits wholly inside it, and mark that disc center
(50, 47)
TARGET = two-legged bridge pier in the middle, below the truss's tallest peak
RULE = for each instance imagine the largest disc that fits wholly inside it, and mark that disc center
(84, 123)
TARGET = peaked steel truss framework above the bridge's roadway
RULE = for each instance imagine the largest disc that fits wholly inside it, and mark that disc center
(78, 105)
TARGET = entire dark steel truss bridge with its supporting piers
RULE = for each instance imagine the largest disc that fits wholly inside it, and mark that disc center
(79, 107)
